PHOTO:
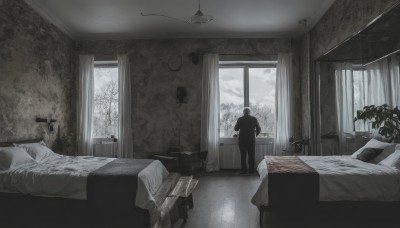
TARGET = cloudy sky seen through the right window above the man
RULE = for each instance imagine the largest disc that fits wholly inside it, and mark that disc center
(262, 85)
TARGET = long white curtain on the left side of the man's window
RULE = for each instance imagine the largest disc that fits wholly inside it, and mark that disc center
(209, 138)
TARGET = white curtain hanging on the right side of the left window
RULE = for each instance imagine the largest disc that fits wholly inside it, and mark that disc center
(125, 147)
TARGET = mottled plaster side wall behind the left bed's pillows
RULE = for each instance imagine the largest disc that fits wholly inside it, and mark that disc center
(35, 74)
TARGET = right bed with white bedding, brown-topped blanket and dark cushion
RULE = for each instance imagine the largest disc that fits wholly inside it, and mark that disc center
(314, 182)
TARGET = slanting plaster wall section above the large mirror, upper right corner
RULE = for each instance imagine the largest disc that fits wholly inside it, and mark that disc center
(344, 19)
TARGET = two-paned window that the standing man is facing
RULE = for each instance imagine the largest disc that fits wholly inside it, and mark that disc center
(247, 84)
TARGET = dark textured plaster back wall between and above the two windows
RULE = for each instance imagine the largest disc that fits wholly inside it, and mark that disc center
(158, 122)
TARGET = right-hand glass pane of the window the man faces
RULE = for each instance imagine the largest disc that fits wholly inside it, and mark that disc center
(262, 98)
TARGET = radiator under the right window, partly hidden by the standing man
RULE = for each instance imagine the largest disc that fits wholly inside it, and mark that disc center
(230, 154)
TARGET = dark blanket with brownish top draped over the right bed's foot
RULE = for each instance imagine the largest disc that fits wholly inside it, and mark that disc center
(291, 182)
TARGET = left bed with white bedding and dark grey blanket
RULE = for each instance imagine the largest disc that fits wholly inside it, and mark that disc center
(45, 188)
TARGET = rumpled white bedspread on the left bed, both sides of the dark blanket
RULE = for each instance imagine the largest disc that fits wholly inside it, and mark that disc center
(66, 177)
